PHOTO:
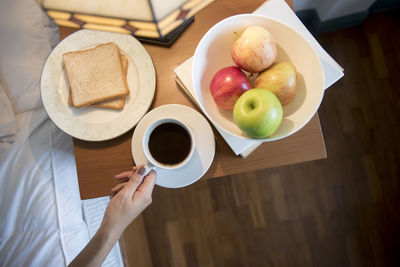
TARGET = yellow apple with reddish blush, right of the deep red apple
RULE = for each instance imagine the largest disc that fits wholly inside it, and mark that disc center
(280, 79)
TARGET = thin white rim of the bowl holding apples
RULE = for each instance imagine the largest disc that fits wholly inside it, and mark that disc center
(266, 139)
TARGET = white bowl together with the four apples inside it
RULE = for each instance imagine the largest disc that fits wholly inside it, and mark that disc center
(257, 78)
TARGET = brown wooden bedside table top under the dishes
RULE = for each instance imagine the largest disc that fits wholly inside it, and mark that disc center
(98, 162)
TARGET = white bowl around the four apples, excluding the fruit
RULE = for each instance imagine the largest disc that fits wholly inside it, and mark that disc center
(214, 52)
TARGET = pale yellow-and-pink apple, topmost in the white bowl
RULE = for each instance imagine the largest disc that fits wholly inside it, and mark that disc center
(255, 49)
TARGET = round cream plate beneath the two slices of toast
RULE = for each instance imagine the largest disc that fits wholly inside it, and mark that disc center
(93, 123)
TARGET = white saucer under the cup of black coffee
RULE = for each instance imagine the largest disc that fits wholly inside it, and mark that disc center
(204, 141)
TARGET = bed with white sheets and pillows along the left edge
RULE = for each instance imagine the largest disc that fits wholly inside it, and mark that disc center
(43, 221)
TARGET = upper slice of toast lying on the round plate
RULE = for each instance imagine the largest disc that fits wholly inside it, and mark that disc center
(95, 74)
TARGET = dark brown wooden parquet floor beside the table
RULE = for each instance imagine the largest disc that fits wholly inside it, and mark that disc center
(341, 211)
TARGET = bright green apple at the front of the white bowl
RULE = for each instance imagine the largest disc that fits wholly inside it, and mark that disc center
(258, 113)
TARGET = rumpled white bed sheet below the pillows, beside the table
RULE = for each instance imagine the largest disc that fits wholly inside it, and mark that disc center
(41, 222)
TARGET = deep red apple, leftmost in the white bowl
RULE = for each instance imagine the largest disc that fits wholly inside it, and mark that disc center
(227, 85)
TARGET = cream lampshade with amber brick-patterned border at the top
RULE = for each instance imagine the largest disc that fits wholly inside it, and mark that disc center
(150, 19)
